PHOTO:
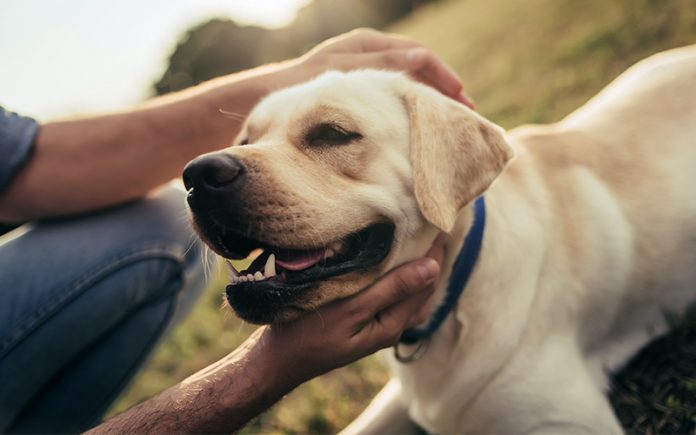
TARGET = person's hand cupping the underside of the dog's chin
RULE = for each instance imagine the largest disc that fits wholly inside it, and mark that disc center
(349, 329)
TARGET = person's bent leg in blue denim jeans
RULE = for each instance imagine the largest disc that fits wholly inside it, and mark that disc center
(83, 301)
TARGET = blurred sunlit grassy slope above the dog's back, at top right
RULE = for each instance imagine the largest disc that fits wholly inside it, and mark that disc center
(535, 60)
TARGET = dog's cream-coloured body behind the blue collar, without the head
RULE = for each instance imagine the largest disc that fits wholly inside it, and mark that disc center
(602, 203)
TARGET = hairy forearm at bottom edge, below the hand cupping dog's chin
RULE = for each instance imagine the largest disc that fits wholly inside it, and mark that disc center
(218, 399)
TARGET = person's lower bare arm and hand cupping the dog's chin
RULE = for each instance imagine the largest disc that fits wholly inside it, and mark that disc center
(275, 359)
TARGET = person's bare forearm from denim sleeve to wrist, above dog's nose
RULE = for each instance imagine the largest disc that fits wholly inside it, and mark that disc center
(89, 163)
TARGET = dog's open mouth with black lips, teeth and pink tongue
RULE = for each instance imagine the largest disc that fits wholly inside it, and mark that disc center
(278, 276)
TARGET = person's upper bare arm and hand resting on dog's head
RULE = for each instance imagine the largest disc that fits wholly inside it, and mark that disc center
(85, 164)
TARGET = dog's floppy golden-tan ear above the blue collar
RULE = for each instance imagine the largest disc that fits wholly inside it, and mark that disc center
(456, 154)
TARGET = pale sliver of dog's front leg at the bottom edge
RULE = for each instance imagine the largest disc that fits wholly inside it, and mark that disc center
(387, 413)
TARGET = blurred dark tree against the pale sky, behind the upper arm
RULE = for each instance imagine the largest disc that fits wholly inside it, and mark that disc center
(220, 47)
